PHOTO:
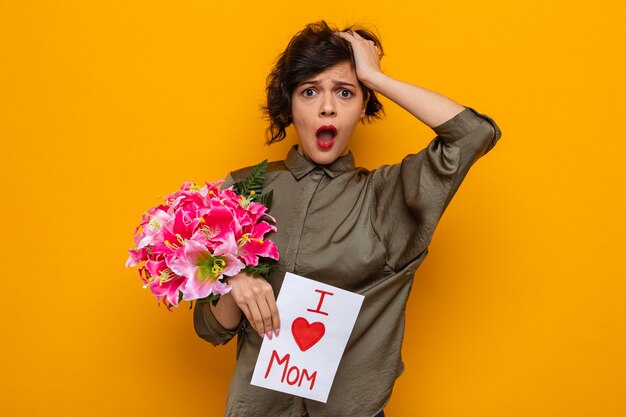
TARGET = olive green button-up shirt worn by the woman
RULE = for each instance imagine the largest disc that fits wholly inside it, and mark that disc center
(363, 231)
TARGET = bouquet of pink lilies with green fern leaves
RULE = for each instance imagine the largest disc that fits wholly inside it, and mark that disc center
(201, 234)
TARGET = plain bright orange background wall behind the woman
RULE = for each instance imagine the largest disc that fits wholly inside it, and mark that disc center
(105, 105)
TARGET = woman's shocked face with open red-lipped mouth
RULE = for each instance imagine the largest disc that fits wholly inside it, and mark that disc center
(324, 110)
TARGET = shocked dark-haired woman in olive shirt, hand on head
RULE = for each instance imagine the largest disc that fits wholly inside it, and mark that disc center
(363, 231)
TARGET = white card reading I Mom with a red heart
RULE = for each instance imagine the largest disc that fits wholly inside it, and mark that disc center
(315, 323)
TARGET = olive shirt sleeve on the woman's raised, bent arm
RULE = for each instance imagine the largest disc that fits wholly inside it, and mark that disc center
(410, 197)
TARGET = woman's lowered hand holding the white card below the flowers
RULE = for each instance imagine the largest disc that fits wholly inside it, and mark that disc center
(255, 297)
